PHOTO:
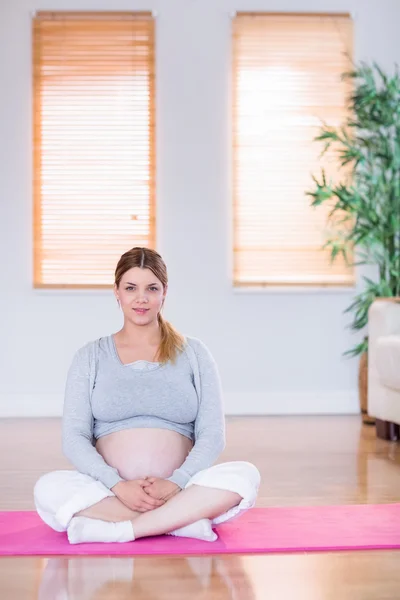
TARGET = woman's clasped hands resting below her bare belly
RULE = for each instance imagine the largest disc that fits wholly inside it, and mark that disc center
(145, 494)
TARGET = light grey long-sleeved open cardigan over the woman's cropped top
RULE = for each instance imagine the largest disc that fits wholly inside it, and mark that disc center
(77, 426)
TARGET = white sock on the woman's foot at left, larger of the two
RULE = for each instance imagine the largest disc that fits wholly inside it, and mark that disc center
(83, 529)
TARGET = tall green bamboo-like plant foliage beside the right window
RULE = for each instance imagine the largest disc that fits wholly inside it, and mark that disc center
(365, 204)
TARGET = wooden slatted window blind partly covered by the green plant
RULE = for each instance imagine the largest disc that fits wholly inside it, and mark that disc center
(286, 80)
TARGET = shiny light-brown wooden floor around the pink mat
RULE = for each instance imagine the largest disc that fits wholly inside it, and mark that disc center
(303, 461)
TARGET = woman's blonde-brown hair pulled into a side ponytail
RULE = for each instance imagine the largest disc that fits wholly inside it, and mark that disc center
(172, 341)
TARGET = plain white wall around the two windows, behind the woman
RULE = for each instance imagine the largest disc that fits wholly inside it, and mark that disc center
(277, 352)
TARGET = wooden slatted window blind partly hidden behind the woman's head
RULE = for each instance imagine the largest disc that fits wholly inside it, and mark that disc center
(94, 144)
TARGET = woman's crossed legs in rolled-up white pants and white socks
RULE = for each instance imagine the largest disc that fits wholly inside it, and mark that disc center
(90, 512)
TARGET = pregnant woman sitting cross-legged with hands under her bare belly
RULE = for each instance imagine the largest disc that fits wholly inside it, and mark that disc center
(143, 424)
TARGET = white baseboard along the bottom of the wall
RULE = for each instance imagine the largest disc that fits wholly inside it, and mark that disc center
(263, 403)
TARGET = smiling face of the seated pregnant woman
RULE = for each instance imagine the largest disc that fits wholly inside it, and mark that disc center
(141, 295)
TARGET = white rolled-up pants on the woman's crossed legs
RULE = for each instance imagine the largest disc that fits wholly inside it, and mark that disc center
(61, 494)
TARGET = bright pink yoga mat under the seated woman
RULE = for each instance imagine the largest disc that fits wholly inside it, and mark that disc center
(259, 530)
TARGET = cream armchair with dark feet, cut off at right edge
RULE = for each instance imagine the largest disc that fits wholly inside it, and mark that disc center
(384, 366)
